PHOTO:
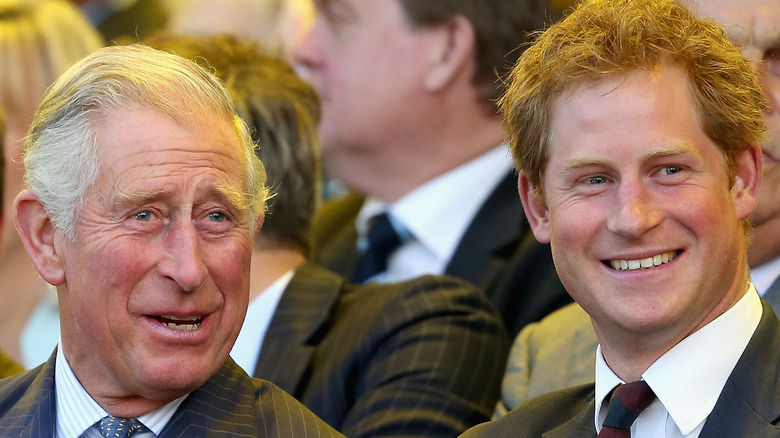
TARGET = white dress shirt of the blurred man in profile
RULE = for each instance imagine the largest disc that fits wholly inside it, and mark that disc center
(437, 214)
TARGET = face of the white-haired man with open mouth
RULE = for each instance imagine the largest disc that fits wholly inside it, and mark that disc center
(156, 282)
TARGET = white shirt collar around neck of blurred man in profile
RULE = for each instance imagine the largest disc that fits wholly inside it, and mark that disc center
(438, 212)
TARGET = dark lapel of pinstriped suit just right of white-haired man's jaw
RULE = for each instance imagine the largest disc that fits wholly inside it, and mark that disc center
(292, 337)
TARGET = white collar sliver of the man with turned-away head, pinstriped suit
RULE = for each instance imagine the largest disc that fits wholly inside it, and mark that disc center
(259, 315)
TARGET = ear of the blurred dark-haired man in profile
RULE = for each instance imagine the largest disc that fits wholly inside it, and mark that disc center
(450, 53)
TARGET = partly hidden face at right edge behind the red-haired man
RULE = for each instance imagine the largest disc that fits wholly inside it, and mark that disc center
(754, 25)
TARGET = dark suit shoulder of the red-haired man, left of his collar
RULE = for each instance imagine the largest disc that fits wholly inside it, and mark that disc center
(537, 415)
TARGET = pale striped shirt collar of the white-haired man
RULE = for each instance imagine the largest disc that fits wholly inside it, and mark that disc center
(77, 411)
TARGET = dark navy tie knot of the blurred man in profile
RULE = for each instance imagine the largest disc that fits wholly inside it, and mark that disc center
(382, 240)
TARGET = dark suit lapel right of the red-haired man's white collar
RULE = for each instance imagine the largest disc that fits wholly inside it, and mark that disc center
(749, 405)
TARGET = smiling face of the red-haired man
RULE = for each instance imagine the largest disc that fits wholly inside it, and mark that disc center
(644, 227)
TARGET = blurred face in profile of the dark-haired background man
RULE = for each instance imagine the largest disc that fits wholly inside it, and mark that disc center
(368, 65)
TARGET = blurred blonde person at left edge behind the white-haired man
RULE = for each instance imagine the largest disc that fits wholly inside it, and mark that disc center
(38, 41)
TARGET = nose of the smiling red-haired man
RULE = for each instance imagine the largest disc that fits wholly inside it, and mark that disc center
(635, 212)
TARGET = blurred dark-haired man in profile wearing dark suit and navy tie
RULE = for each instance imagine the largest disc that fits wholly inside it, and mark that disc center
(410, 126)
